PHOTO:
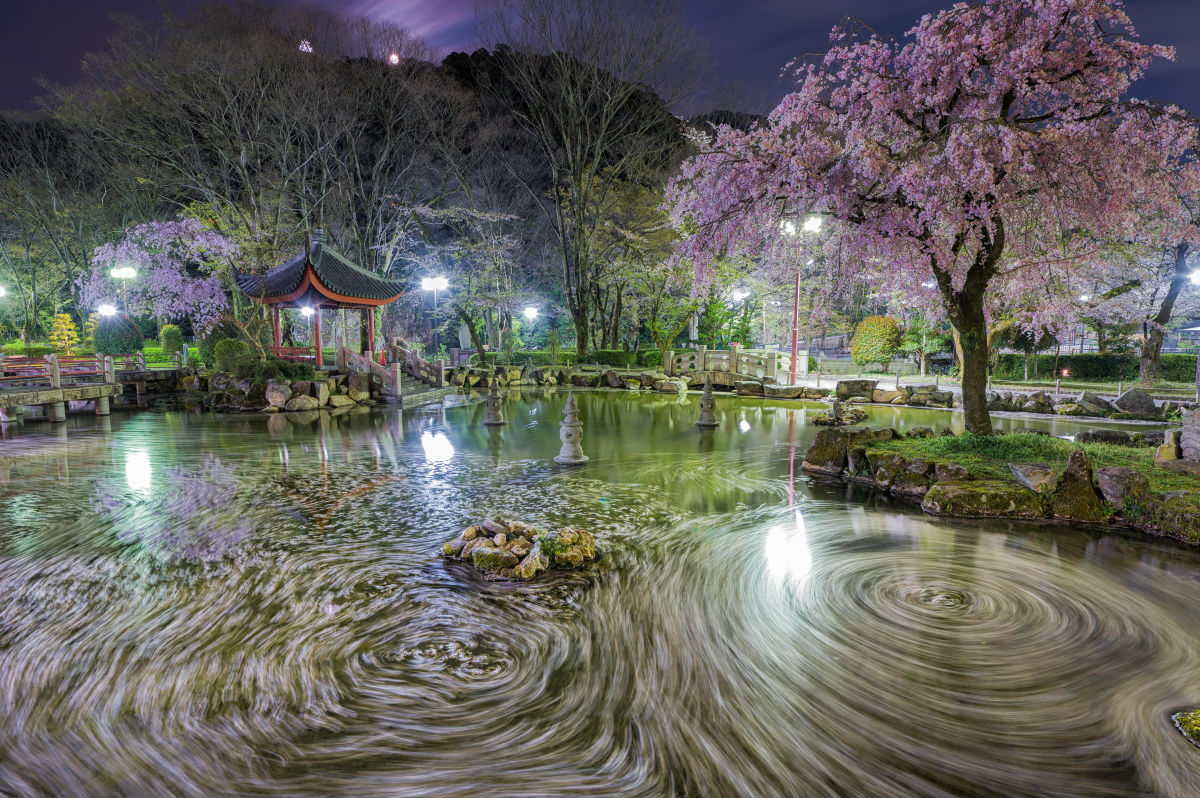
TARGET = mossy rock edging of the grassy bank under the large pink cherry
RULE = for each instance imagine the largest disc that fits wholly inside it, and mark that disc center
(1036, 490)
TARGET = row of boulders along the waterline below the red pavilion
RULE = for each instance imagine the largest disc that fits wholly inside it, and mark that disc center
(224, 393)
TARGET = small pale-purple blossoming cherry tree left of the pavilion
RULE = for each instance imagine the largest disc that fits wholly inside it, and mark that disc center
(164, 254)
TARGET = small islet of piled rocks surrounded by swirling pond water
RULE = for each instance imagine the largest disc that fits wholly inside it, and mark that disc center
(512, 550)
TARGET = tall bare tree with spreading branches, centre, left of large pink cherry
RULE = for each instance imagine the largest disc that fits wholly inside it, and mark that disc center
(580, 77)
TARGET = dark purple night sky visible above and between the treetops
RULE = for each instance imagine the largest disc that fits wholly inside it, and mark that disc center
(749, 41)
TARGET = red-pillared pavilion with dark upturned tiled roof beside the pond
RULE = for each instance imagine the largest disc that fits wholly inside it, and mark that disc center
(320, 278)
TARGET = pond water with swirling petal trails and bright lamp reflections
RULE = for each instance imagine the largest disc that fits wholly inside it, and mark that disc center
(196, 607)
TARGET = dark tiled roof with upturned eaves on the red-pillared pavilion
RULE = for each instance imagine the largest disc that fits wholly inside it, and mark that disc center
(332, 269)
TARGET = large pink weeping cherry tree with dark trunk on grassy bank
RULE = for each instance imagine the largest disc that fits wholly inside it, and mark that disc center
(965, 154)
